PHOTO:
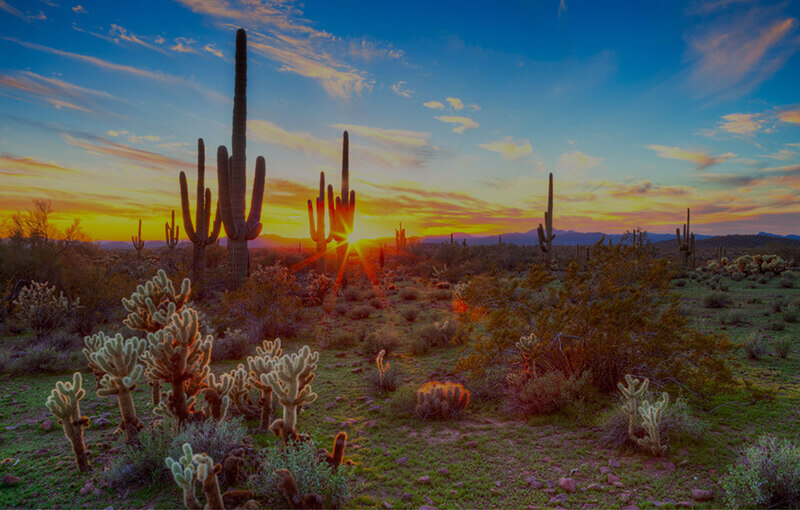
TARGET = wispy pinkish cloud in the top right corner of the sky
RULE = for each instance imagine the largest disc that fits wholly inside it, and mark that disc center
(734, 56)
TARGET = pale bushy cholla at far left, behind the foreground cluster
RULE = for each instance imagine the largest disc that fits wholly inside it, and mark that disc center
(38, 305)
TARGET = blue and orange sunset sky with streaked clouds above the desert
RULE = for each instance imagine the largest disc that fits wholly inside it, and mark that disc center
(457, 111)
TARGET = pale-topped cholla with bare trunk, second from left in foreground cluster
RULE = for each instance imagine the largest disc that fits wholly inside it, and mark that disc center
(118, 359)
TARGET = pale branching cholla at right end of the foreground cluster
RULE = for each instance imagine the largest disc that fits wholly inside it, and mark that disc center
(291, 382)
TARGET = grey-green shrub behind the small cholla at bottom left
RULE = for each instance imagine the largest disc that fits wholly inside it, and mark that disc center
(143, 464)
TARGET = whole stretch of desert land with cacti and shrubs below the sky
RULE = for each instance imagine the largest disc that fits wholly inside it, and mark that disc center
(428, 375)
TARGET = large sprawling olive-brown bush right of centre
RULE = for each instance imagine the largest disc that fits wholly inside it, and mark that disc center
(614, 316)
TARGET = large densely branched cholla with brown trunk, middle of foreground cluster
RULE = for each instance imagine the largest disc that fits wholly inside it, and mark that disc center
(179, 355)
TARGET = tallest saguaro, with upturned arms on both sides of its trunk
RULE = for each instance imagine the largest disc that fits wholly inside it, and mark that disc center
(232, 176)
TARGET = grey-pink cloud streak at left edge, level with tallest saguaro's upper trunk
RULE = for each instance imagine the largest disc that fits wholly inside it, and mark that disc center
(55, 92)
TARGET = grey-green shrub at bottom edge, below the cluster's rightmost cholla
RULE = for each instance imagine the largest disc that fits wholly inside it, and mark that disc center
(312, 476)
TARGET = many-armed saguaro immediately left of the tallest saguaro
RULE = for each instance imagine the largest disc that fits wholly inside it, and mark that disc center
(198, 232)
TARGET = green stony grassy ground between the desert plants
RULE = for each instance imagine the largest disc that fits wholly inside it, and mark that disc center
(479, 460)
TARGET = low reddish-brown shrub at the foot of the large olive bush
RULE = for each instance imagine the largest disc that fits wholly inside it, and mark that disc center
(547, 393)
